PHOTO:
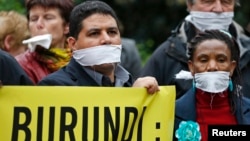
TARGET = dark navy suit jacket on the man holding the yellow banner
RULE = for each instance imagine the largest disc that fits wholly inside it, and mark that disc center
(73, 74)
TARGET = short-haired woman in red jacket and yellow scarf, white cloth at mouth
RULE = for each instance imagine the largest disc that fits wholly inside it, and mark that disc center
(46, 17)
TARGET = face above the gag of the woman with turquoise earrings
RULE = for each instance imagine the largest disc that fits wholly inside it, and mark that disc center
(211, 55)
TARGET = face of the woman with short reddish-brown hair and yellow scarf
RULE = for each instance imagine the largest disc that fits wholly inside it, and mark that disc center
(48, 21)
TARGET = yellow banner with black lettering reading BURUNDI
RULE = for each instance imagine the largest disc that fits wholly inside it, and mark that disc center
(38, 113)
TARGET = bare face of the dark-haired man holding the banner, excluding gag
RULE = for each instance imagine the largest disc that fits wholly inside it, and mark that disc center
(97, 29)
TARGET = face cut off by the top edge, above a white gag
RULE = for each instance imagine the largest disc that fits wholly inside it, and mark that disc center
(217, 6)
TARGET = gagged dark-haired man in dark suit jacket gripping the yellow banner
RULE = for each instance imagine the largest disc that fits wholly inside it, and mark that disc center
(96, 44)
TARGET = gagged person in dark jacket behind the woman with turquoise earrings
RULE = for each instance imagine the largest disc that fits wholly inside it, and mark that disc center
(170, 58)
